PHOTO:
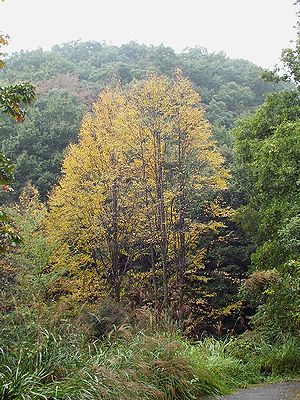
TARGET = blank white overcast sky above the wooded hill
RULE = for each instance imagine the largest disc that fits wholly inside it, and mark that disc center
(253, 29)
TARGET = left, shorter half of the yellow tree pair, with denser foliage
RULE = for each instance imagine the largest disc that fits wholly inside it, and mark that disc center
(93, 210)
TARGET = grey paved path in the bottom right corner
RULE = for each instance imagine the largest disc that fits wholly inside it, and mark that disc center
(274, 391)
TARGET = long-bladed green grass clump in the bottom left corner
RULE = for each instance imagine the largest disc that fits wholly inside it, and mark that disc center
(35, 364)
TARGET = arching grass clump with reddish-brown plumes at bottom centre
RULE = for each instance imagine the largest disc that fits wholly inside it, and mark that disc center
(165, 361)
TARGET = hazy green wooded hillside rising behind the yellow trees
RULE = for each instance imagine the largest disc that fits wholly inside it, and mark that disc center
(69, 77)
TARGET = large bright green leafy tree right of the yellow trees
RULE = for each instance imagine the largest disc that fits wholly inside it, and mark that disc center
(267, 154)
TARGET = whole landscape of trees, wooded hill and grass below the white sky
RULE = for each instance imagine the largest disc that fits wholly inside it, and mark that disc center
(149, 222)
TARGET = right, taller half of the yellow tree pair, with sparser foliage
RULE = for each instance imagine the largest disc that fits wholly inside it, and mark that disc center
(181, 166)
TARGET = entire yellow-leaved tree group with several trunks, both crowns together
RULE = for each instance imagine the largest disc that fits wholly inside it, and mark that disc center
(131, 189)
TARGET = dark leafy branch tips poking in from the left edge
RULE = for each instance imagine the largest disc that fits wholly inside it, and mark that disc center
(12, 97)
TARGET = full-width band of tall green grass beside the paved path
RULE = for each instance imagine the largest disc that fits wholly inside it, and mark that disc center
(36, 363)
